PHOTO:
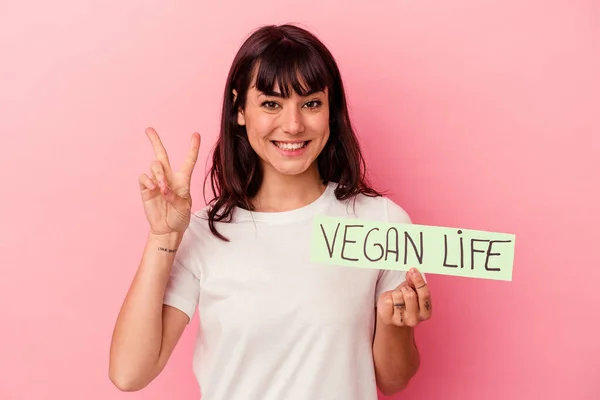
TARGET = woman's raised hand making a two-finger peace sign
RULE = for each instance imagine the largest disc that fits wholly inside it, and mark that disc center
(166, 193)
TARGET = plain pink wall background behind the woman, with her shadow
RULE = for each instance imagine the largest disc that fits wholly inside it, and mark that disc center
(474, 114)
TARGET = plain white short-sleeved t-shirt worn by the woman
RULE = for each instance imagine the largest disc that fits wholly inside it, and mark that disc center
(273, 325)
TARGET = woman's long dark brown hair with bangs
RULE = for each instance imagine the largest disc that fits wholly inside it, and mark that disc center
(283, 56)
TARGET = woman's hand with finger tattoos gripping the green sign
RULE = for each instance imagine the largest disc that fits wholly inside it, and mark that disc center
(408, 304)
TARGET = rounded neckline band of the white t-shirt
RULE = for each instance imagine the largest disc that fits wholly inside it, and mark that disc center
(307, 211)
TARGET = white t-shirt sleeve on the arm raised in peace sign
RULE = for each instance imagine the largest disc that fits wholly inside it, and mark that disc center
(183, 286)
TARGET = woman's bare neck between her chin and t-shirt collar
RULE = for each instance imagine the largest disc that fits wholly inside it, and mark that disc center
(280, 192)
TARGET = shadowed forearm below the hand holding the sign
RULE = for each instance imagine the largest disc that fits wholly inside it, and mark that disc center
(395, 356)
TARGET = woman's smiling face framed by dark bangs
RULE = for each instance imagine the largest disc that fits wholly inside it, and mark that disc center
(287, 134)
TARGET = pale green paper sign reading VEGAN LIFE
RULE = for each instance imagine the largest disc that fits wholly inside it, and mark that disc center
(431, 249)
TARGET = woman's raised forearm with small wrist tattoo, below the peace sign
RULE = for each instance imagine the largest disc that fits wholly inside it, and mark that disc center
(138, 332)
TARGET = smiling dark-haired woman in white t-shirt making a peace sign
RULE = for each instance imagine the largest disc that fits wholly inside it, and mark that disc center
(273, 325)
